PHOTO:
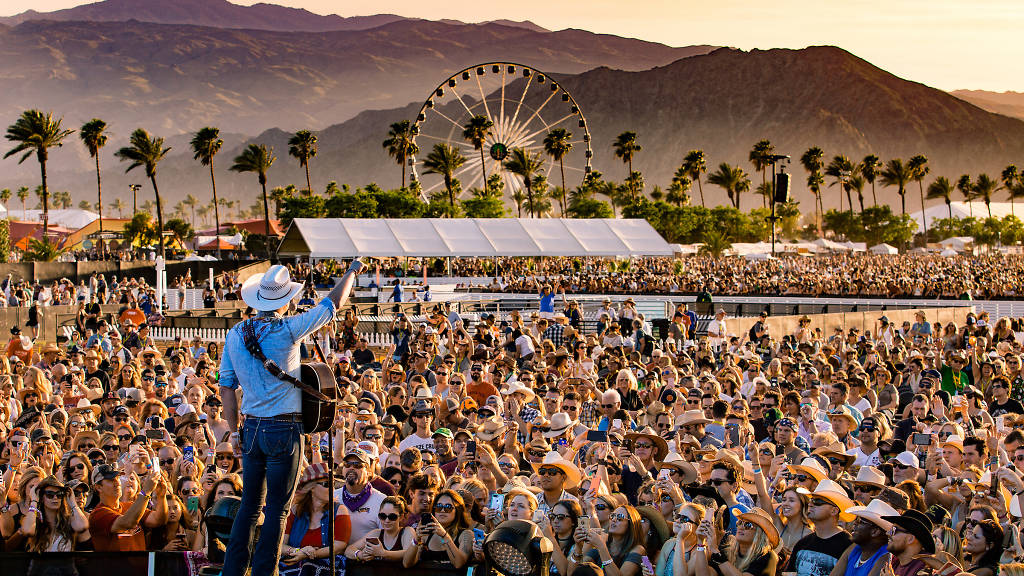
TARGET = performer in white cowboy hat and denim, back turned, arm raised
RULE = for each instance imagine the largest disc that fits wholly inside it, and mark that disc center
(272, 406)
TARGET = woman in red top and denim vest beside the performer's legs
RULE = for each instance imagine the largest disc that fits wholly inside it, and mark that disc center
(307, 530)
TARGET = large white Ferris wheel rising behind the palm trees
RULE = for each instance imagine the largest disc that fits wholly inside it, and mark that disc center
(523, 106)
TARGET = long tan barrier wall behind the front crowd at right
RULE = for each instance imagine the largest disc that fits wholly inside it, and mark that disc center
(782, 325)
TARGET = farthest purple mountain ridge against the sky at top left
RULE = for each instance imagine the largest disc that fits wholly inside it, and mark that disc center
(217, 14)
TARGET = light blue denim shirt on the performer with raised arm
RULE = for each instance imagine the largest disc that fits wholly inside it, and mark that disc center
(263, 395)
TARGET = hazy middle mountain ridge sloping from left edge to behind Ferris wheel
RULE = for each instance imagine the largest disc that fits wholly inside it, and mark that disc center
(176, 78)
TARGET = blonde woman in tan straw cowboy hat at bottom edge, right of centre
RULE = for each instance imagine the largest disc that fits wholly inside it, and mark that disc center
(755, 554)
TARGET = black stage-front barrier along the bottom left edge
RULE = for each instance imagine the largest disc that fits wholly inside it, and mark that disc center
(172, 564)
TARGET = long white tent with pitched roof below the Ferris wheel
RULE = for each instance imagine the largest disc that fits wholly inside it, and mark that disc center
(346, 238)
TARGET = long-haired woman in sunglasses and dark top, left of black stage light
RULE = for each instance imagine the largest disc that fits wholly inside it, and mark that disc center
(443, 538)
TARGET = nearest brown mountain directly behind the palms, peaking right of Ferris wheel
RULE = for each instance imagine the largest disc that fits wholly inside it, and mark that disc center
(721, 103)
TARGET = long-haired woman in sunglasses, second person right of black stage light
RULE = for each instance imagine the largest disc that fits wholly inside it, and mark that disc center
(620, 552)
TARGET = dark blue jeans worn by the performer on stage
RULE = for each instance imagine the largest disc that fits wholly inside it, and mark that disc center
(271, 455)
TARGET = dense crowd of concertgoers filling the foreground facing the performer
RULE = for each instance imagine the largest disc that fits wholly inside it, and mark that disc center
(893, 451)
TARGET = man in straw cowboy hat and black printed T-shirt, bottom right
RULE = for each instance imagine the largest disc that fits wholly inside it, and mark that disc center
(817, 554)
